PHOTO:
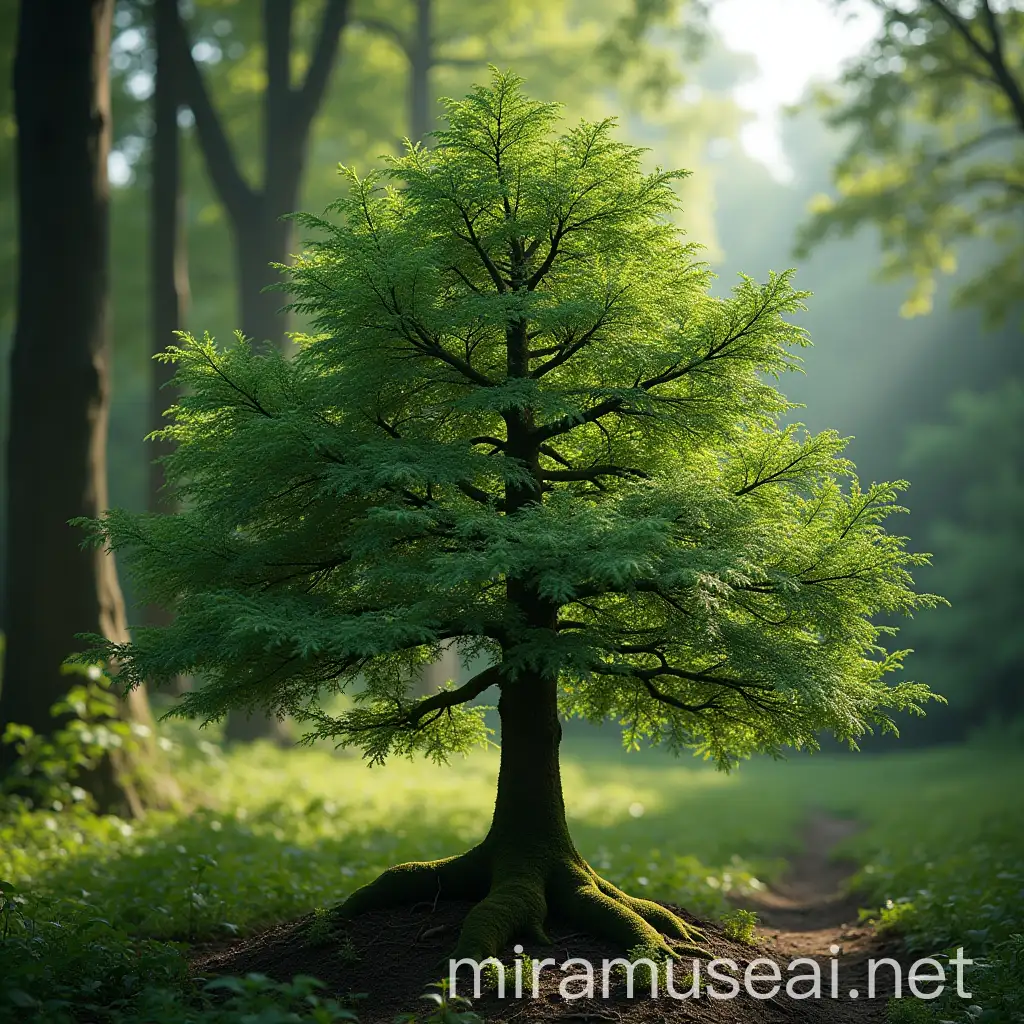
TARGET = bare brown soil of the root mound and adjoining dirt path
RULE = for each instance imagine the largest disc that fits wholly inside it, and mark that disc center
(809, 914)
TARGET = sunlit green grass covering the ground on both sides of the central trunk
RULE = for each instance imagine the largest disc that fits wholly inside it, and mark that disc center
(276, 835)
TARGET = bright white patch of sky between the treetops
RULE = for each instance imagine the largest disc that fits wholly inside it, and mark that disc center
(794, 42)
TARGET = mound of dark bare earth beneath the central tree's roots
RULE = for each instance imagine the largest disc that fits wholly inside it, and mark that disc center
(391, 957)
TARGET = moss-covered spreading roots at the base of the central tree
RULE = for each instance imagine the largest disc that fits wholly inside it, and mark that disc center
(517, 895)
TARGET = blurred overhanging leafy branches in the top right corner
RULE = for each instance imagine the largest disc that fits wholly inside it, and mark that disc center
(935, 157)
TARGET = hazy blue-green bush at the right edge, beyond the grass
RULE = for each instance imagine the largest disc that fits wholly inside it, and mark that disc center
(977, 654)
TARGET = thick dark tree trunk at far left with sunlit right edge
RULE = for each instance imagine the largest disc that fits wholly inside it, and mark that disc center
(60, 371)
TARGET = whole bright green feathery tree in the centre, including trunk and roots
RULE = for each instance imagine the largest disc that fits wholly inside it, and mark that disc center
(525, 428)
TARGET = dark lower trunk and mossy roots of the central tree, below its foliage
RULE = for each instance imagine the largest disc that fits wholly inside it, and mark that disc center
(527, 872)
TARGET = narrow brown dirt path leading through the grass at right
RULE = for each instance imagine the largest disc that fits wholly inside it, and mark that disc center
(810, 914)
